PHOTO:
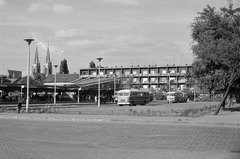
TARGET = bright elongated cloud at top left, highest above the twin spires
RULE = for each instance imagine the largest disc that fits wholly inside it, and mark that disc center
(55, 7)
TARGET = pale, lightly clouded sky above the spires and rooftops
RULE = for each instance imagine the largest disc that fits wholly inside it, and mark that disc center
(123, 32)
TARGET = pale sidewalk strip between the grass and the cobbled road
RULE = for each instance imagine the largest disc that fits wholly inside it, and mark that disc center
(224, 118)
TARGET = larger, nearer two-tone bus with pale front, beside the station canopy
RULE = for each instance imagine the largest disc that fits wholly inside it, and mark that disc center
(133, 97)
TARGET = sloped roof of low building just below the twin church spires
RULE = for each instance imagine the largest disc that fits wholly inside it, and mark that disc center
(65, 78)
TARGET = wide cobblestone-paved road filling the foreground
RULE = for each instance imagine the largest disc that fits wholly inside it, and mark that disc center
(47, 139)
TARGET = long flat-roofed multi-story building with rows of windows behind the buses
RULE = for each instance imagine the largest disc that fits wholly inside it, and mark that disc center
(143, 77)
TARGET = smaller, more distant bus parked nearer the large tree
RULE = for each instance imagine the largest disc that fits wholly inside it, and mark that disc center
(176, 97)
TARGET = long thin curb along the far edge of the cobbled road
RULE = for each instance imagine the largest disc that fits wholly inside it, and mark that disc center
(177, 121)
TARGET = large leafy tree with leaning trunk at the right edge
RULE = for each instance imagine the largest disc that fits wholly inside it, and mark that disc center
(216, 46)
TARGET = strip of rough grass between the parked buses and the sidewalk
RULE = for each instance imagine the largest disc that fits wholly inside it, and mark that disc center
(152, 110)
